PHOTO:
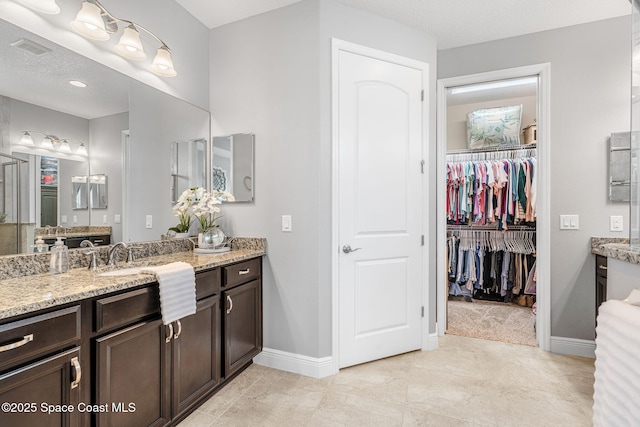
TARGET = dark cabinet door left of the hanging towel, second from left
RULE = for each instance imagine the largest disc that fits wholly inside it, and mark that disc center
(132, 376)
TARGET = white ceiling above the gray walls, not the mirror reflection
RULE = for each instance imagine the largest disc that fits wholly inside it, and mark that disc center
(454, 23)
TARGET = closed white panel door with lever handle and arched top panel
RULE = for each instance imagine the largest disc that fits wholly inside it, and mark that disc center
(380, 185)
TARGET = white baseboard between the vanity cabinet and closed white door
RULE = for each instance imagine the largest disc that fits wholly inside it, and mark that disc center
(296, 363)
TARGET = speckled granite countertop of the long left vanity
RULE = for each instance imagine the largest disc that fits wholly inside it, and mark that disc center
(29, 293)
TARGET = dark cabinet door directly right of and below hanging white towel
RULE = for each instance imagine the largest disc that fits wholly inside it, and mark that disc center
(196, 354)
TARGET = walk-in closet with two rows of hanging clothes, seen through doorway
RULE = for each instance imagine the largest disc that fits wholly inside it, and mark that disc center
(491, 199)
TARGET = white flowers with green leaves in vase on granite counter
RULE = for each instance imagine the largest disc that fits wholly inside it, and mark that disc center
(197, 202)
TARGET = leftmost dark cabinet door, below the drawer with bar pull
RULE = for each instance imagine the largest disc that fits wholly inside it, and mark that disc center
(49, 383)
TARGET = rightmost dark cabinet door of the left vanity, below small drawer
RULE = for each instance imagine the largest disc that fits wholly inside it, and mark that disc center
(242, 325)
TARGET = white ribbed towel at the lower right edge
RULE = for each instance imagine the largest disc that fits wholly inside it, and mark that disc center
(617, 376)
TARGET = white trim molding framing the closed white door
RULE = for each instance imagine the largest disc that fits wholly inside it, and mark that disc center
(338, 45)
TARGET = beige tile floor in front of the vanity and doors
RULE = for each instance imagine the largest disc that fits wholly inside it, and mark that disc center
(466, 382)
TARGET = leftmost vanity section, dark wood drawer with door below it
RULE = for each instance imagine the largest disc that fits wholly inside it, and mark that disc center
(41, 369)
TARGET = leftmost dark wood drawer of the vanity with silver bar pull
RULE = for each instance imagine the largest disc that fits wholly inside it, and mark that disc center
(25, 339)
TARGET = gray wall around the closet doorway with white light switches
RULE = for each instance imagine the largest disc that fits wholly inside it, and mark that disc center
(590, 98)
